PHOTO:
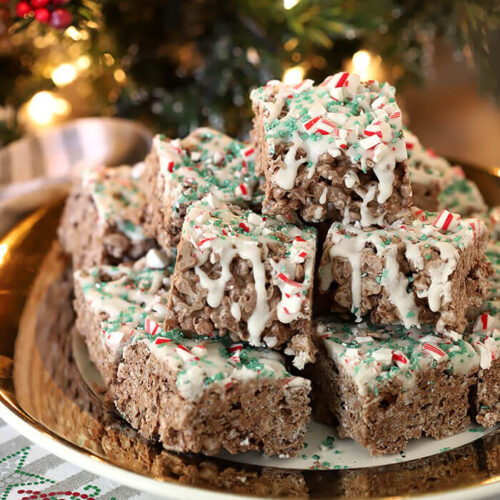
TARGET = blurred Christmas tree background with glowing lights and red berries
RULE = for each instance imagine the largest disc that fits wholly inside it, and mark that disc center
(177, 64)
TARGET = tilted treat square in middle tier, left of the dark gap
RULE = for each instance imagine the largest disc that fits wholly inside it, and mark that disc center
(245, 275)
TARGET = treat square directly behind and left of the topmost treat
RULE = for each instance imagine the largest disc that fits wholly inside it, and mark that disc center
(181, 171)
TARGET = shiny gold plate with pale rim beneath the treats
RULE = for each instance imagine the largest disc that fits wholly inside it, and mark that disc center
(43, 395)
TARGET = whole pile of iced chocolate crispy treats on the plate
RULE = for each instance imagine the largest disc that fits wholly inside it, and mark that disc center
(226, 289)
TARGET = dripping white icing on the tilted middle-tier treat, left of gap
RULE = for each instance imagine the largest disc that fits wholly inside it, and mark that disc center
(220, 233)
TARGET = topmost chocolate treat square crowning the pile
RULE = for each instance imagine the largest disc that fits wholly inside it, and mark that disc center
(333, 151)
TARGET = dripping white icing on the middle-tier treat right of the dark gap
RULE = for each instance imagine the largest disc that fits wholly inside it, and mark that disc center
(351, 242)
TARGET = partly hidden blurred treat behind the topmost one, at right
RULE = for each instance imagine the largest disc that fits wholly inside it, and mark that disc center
(436, 185)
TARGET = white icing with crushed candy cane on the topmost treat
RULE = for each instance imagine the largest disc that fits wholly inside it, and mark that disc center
(340, 116)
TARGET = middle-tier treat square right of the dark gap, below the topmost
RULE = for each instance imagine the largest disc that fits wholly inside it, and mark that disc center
(433, 270)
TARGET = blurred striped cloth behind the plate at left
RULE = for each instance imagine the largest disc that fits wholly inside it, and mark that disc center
(38, 167)
